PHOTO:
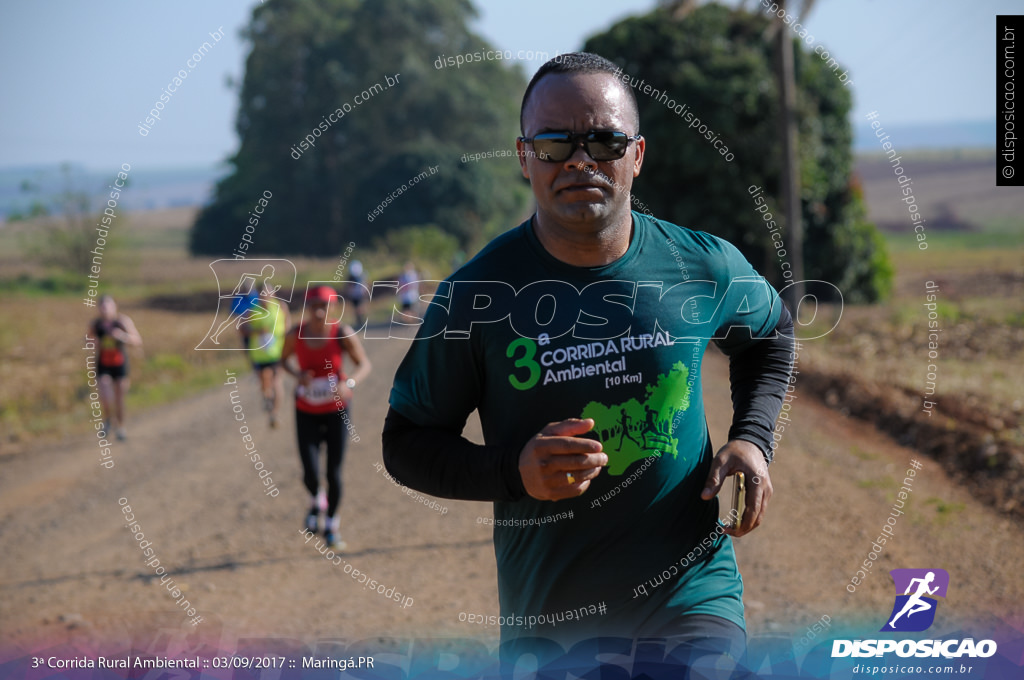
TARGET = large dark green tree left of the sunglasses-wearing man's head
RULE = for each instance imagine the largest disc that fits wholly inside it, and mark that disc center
(311, 58)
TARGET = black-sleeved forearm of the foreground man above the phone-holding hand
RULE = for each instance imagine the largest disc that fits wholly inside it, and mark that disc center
(759, 377)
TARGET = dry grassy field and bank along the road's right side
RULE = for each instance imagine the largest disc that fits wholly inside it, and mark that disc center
(978, 316)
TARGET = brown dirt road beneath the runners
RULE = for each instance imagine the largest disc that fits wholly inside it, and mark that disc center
(72, 571)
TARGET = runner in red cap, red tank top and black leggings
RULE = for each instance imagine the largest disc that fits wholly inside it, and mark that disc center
(322, 402)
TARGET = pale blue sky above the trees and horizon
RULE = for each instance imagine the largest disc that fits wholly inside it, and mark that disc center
(80, 76)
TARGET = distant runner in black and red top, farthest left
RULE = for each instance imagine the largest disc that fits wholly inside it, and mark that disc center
(111, 333)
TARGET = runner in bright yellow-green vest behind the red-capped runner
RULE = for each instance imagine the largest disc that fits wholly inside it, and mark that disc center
(264, 336)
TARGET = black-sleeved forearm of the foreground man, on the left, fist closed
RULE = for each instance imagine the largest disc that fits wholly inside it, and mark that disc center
(444, 463)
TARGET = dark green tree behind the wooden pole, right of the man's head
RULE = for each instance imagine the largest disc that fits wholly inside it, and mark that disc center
(718, 63)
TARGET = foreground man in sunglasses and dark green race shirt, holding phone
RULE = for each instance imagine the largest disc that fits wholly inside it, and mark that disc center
(583, 328)
